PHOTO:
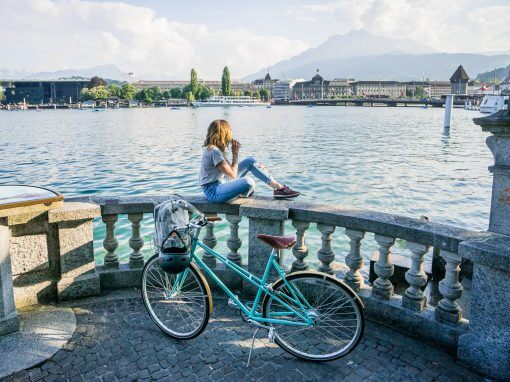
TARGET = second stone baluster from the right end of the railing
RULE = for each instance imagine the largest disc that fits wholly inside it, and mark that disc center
(413, 297)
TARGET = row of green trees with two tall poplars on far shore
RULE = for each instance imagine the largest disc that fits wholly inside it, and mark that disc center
(98, 89)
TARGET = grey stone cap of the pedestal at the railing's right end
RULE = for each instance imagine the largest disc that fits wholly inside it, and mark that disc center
(493, 251)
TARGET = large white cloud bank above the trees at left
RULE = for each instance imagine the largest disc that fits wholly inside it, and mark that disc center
(49, 35)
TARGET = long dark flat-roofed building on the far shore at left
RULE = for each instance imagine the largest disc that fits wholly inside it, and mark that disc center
(42, 92)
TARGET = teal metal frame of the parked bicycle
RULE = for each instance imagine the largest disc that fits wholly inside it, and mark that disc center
(263, 288)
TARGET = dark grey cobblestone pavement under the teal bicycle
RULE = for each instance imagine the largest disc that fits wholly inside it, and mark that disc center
(116, 340)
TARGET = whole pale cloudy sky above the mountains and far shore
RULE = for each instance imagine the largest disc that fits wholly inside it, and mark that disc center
(163, 39)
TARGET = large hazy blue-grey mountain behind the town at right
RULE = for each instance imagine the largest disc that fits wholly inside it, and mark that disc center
(363, 56)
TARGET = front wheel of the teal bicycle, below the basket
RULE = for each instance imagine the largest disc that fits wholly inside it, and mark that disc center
(179, 304)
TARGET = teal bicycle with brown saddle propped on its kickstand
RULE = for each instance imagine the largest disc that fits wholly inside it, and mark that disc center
(311, 315)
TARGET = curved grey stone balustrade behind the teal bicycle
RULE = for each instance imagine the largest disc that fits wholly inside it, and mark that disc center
(441, 324)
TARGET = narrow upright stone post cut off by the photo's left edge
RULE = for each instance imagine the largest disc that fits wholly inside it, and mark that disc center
(9, 320)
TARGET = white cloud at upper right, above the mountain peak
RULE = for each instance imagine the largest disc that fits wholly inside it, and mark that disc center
(449, 26)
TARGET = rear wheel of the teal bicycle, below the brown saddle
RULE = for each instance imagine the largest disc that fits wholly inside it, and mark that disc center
(336, 312)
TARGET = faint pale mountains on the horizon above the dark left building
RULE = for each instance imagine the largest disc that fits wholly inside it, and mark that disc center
(105, 71)
